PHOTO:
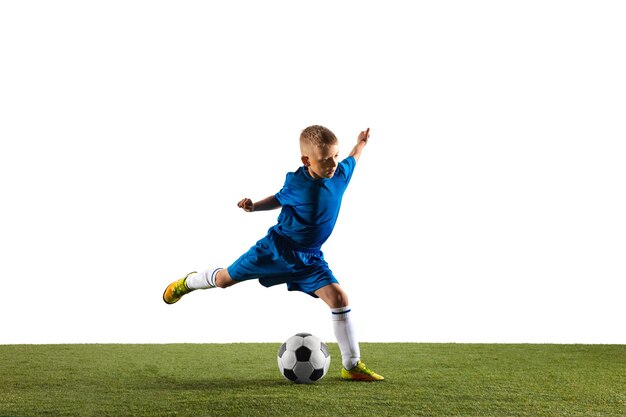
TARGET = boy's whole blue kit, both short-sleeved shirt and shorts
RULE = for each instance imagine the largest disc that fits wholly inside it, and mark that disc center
(291, 252)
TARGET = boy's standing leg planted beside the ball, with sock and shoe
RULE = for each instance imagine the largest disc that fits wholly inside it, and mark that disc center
(353, 369)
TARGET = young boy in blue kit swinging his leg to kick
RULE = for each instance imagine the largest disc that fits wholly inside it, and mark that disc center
(291, 252)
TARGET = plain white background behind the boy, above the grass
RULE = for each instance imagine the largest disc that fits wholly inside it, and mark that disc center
(488, 207)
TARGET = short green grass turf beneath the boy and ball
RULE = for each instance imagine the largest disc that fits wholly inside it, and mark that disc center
(243, 380)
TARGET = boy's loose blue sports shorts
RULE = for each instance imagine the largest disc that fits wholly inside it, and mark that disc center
(273, 261)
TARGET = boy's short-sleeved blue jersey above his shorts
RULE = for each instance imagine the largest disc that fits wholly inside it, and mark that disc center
(310, 206)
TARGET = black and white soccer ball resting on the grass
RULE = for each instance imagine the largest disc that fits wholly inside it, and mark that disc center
(303, 358)
